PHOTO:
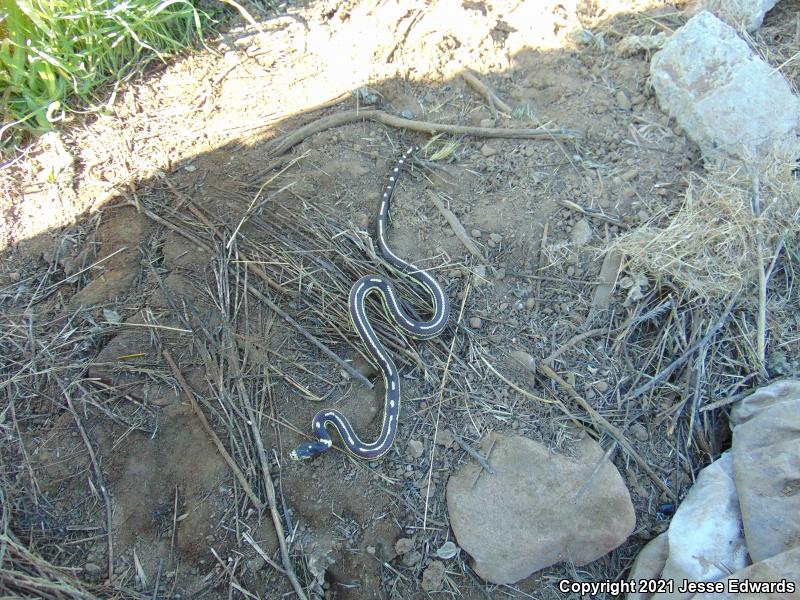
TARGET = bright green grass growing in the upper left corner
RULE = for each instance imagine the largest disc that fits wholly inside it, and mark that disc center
(52, 51)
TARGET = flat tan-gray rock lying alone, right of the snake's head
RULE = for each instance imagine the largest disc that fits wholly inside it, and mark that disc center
(529, 514)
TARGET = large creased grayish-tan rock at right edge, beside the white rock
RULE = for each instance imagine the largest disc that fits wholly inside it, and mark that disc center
(766, 467)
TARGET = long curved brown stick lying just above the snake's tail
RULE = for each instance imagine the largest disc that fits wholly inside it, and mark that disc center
(282, 144)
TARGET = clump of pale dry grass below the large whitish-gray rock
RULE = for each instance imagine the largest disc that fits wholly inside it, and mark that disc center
(715, 245)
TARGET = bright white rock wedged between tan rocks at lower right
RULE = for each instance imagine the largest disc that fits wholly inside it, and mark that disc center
(705, 536)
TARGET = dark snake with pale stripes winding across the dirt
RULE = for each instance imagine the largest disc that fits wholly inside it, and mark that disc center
(382, 287)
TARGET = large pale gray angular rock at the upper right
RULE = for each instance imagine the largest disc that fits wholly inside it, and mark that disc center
(729, 101)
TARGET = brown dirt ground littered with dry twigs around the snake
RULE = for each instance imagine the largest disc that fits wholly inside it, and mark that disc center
(177, 230)
